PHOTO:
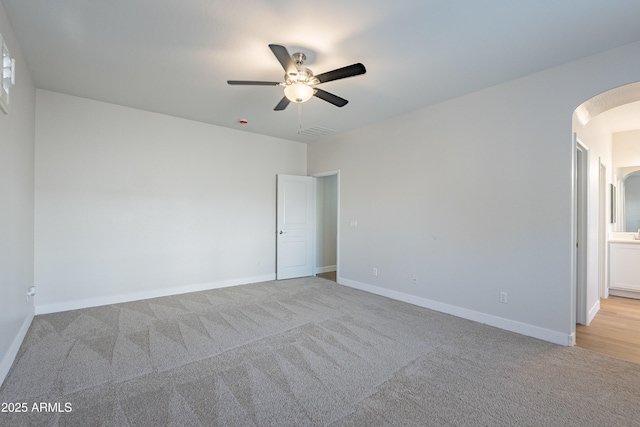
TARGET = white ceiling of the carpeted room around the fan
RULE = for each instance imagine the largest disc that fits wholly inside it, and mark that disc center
(174, 57)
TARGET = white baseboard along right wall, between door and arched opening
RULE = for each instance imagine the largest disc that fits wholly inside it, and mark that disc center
(476, 316)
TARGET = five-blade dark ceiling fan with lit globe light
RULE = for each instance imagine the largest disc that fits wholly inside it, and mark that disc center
(300, 83)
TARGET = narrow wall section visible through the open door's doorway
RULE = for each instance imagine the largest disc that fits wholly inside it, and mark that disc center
(326, 223)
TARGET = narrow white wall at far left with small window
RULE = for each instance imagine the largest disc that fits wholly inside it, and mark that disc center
(16, 213)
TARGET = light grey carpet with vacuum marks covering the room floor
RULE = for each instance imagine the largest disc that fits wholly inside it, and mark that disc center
(305, 352)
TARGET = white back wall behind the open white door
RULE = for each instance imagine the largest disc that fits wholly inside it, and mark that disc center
(132, 204)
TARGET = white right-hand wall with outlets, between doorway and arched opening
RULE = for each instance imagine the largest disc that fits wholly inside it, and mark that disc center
(474, 197)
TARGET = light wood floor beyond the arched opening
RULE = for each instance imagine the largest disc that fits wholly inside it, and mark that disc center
(615, 330)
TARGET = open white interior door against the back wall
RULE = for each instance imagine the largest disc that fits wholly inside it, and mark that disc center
(296, 227)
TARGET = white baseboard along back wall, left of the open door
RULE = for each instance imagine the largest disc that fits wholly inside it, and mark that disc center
(135, 296)
